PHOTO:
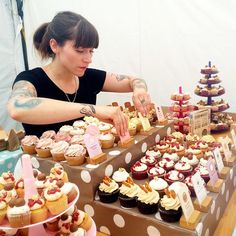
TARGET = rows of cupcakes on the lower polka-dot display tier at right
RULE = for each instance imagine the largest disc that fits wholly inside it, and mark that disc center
(174, 159)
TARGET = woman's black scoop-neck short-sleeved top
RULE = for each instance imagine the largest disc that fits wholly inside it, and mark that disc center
(90, 84)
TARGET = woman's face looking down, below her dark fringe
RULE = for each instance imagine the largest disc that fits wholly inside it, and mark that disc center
(75, 60)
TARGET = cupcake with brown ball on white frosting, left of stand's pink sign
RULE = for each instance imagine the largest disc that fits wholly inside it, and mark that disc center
(18, 213)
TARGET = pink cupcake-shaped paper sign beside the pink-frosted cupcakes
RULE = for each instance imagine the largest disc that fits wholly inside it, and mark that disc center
(91, 141)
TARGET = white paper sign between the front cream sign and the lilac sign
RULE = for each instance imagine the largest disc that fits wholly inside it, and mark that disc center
(199, 187)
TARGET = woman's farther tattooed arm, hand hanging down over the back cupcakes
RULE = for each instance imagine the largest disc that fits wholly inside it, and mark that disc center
(124, 83)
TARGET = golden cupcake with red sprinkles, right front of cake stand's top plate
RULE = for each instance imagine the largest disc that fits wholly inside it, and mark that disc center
(56, 201)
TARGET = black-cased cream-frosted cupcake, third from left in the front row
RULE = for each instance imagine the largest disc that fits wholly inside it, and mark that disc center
(147, 201)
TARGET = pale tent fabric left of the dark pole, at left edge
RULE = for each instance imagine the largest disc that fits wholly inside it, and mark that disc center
(10, 57)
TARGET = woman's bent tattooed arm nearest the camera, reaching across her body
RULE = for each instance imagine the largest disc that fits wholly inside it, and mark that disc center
(26, 107)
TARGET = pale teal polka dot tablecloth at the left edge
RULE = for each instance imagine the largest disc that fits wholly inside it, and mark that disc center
(8, 160)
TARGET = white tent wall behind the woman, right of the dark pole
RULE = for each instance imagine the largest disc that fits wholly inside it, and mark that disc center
(166, 42)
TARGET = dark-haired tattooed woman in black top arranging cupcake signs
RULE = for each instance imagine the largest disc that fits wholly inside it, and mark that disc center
(64, 90)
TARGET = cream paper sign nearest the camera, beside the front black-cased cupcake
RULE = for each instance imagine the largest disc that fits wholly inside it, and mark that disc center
(182, 192)
